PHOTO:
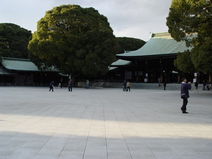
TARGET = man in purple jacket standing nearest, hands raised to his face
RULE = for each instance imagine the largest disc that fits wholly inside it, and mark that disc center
(185, 94)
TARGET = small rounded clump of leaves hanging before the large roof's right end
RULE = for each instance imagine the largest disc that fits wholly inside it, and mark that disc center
(183, 62)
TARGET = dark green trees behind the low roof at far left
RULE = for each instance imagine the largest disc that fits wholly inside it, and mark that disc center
(14, 40)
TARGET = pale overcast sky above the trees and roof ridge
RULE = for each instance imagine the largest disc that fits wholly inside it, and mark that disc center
(127, 18)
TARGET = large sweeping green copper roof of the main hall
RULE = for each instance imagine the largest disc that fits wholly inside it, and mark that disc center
(159, 44)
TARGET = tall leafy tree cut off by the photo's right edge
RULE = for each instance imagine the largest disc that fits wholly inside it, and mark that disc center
(191, 21)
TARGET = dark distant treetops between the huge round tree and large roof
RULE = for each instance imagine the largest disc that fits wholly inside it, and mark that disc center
(129, 44)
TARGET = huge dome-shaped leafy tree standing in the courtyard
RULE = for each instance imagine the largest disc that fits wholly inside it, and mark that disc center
(74, 40)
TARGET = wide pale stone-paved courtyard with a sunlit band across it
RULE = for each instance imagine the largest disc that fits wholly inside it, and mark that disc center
(103, 124)
